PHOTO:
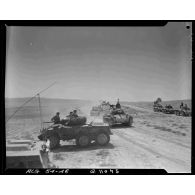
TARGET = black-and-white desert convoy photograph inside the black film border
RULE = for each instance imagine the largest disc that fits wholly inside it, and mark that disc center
(99, 97)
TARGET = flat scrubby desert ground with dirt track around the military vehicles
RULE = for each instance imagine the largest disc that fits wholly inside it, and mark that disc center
(156, 140)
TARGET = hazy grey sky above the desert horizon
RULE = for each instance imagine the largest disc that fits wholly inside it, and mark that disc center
(130, 63)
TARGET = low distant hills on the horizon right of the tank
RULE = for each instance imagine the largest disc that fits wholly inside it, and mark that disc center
(149, 105)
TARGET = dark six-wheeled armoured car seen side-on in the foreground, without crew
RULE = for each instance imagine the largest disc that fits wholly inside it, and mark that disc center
(76, 128)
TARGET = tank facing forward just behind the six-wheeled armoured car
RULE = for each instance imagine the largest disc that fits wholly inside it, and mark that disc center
(118, 116)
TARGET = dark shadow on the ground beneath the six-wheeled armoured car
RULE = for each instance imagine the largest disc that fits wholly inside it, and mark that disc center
(75, 148)
